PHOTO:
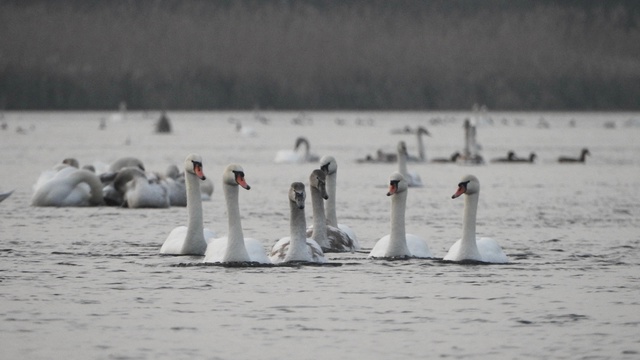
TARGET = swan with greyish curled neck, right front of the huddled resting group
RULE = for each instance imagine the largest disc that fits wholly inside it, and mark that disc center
(138, 191)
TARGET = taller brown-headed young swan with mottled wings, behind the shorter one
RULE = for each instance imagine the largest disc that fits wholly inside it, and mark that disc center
(330, 238)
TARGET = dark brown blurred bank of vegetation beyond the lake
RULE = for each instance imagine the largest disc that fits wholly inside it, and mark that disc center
(243, 54)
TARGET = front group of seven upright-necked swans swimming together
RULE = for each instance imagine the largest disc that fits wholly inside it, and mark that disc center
(309, 244)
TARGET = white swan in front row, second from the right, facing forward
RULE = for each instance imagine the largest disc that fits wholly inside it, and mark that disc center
(398, 243)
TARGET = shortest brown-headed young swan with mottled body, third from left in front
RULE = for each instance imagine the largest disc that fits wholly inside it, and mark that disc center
(297, 247)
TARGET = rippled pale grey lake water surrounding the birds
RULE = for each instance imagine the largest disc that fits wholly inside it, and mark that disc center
(88, 283)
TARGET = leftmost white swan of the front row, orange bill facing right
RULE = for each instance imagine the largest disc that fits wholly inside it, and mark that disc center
(190, 239)
